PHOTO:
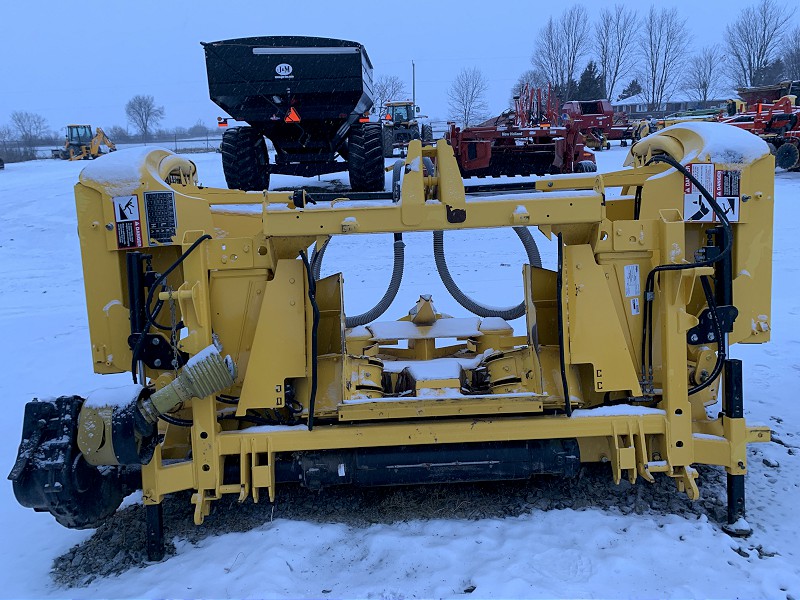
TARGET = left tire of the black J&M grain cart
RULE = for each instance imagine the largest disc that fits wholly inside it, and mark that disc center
(245, 160)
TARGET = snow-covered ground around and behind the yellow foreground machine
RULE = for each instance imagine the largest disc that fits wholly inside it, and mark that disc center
(557, 553)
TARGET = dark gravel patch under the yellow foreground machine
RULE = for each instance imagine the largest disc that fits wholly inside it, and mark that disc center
(119, 544)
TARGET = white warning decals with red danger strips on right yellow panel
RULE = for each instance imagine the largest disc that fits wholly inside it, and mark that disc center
(722, 183)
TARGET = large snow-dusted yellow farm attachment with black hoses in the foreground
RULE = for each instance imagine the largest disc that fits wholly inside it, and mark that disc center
(249, 373)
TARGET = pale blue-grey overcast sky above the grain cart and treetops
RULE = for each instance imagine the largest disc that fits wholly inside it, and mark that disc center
(80, 62)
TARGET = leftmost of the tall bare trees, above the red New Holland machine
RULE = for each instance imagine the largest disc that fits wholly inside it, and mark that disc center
(562, 45)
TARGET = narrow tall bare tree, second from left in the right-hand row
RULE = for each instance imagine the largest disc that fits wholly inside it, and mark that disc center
(614, 55)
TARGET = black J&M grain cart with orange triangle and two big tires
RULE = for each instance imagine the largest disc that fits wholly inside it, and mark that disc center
(308, 96)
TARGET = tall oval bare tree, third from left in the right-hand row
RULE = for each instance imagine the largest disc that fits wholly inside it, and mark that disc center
(663, 44)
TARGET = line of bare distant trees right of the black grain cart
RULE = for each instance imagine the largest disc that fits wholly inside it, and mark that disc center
(622, 53)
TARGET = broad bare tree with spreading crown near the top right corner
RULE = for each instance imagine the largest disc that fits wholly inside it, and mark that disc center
(752, 41)
